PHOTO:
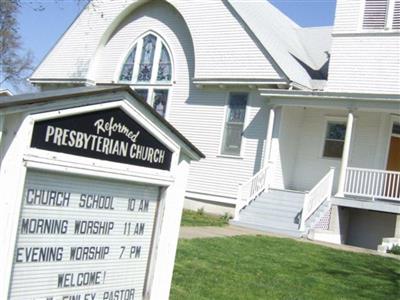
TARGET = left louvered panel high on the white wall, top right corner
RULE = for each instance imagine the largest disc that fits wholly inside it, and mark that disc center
(375, 14)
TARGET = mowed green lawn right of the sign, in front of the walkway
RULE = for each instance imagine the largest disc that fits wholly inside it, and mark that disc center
(258, 267)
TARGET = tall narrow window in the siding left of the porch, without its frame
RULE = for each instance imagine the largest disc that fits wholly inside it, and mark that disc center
(234, 123)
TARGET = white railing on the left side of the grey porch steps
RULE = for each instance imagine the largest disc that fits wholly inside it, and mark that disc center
(253, 187)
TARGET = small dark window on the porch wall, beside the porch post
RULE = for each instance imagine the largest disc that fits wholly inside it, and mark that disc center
(334, 139)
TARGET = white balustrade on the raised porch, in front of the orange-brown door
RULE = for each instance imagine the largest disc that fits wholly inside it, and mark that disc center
(374, 184)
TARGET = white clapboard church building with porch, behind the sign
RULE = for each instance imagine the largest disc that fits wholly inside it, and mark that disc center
(300, 126)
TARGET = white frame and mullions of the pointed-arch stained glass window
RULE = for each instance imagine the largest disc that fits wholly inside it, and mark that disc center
(153, 84)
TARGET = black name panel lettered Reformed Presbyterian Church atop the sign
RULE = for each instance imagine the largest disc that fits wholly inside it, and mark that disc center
(108, 135)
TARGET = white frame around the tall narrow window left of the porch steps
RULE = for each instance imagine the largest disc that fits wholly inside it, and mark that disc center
(245, 123)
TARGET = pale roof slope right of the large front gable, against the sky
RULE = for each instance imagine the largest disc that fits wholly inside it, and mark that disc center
(296, 50)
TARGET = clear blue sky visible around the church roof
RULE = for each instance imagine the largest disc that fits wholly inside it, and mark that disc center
(40, 30)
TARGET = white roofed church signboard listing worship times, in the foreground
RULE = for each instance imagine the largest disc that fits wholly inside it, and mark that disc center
(92, 201)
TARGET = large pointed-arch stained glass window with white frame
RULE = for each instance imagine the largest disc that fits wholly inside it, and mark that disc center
(148, 68)
